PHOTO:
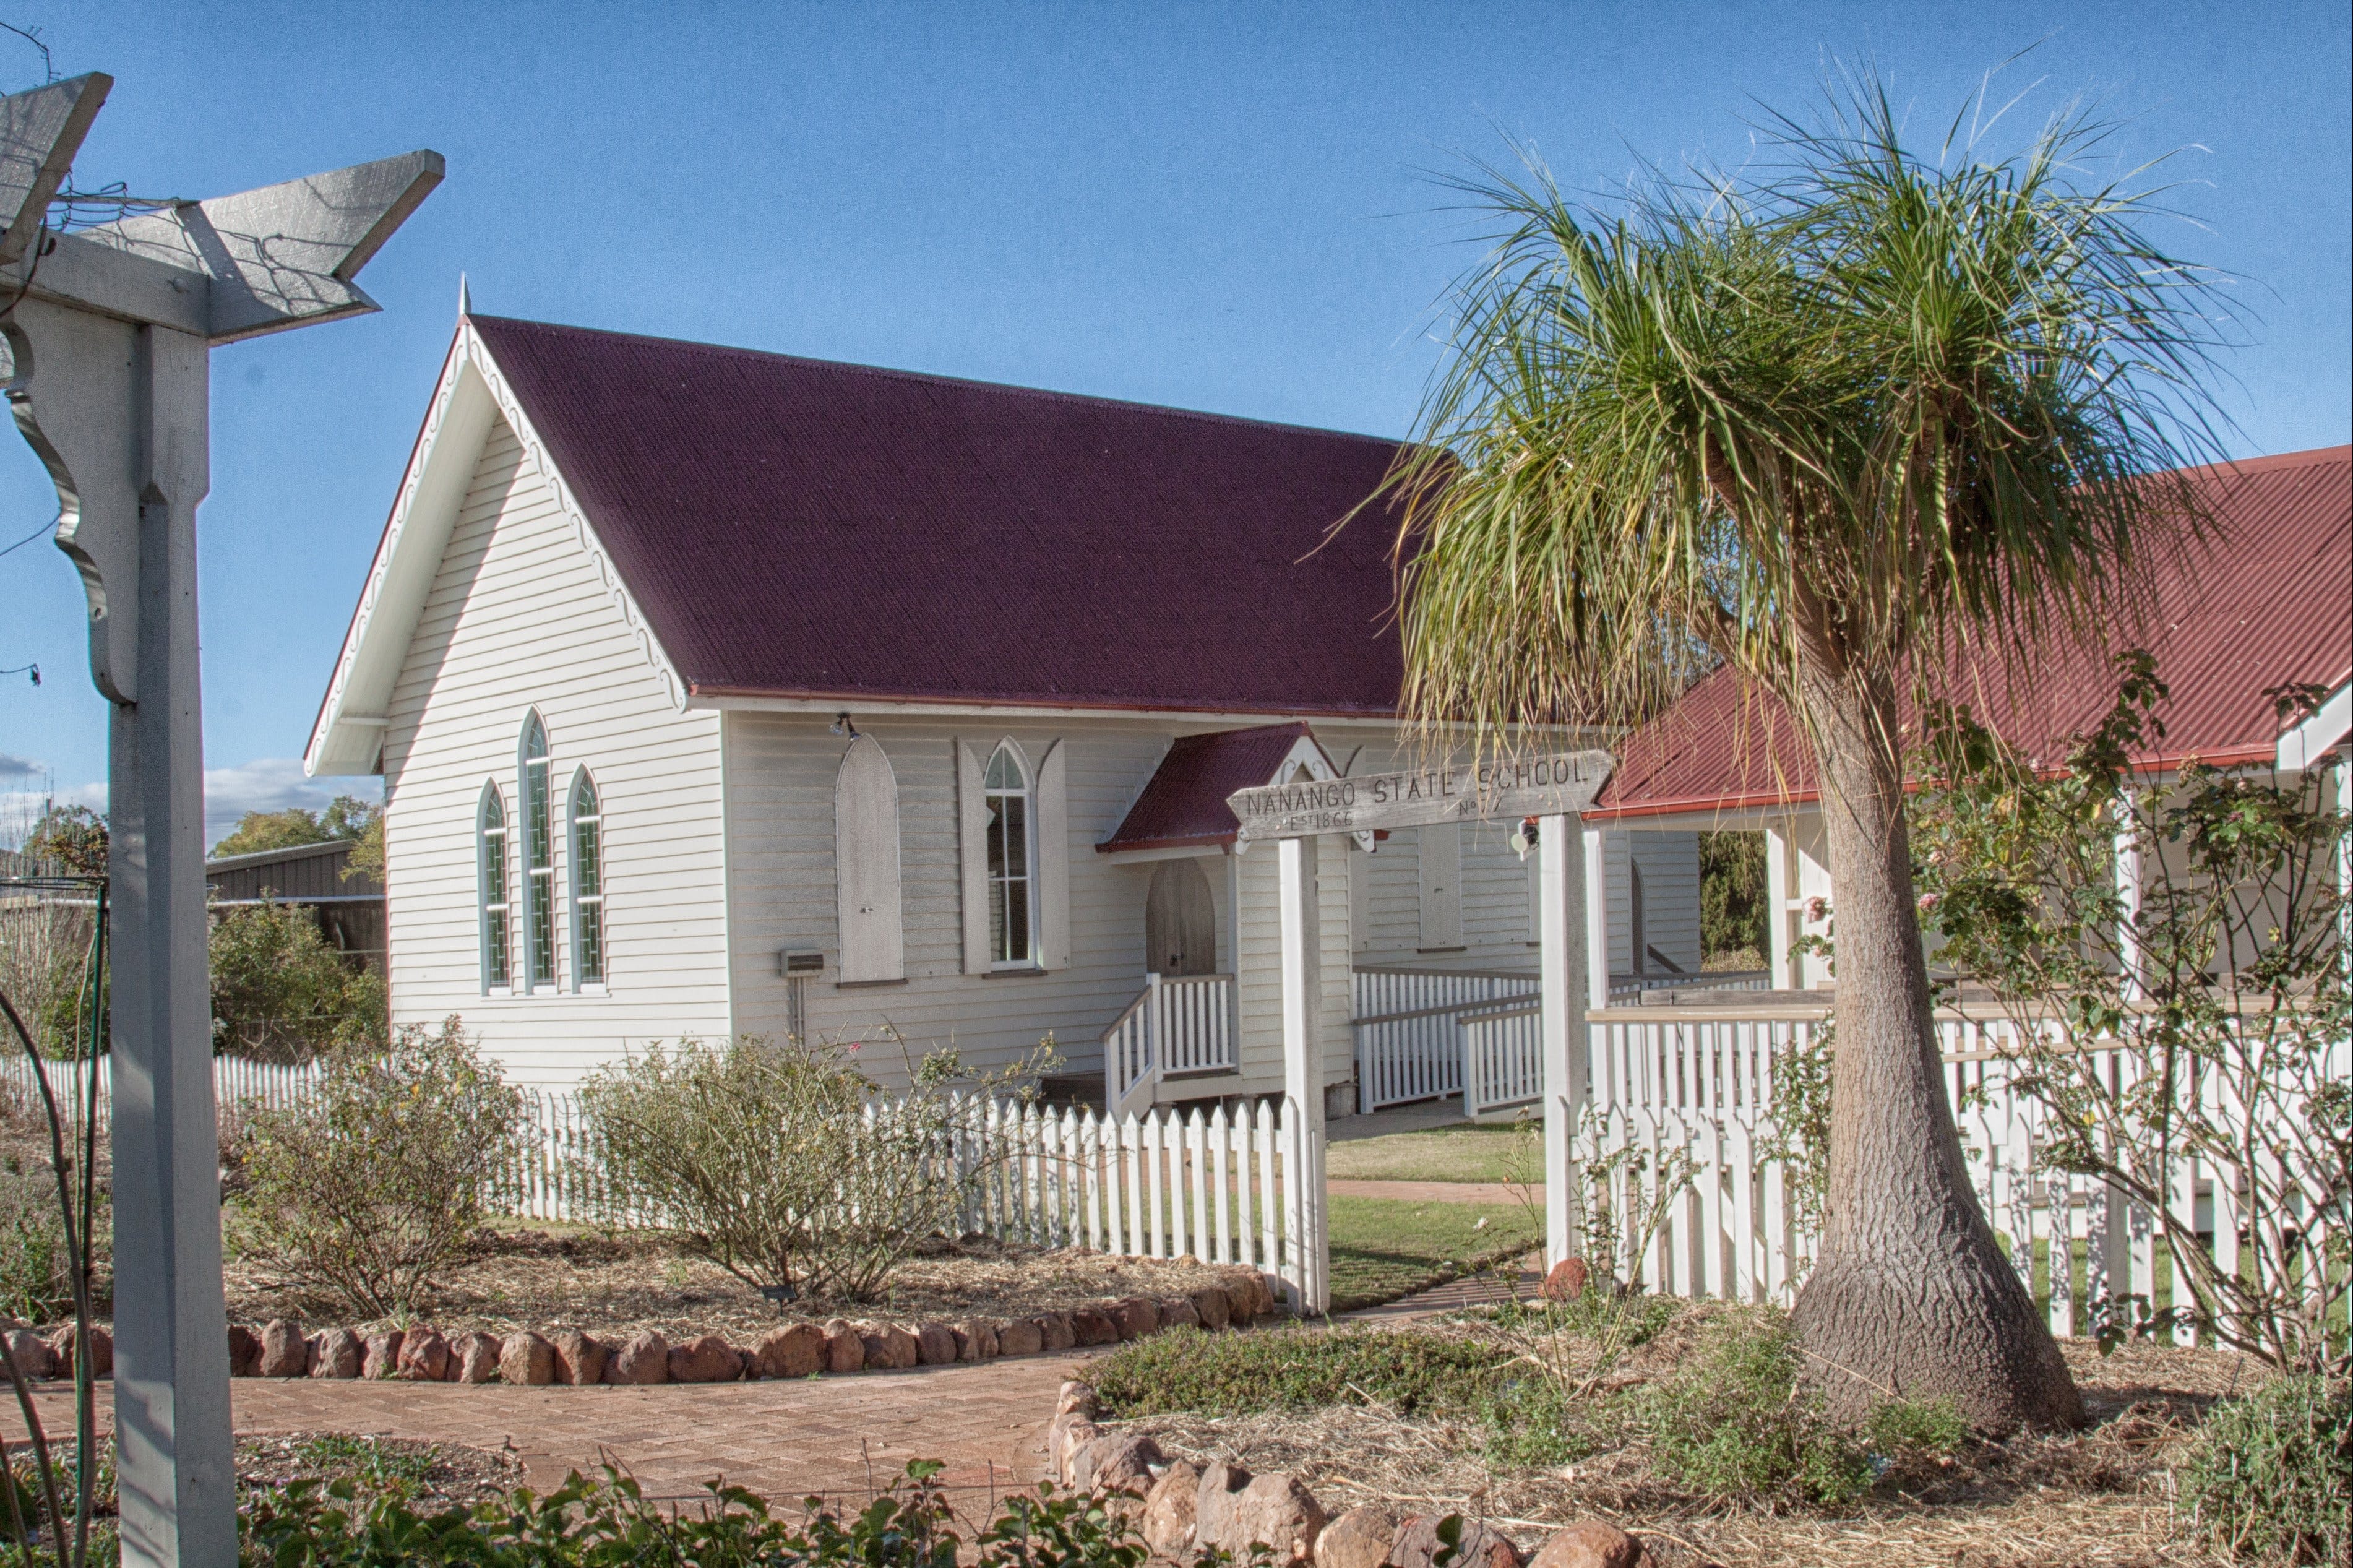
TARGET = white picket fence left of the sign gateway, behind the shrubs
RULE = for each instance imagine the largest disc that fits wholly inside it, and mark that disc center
(1213, 1183)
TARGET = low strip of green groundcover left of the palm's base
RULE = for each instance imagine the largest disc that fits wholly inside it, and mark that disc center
(1295, 1369)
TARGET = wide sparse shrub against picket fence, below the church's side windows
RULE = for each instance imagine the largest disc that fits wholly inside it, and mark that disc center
(785, 1164)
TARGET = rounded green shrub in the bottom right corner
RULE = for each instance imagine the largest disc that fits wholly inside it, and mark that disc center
(2272, 1475)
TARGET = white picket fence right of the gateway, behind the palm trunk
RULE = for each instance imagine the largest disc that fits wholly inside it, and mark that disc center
(1705, 1091)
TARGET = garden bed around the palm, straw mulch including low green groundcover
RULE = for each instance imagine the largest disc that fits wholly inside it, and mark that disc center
(1420, 1421)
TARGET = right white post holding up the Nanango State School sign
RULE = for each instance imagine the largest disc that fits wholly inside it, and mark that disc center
(1566, 877)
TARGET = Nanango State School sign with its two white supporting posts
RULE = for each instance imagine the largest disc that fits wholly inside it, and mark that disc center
(1554, 790)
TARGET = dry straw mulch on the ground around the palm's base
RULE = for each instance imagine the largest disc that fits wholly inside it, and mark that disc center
(2084, 1501)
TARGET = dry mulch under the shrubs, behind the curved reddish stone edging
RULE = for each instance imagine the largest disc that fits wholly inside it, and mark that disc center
(596, 1282)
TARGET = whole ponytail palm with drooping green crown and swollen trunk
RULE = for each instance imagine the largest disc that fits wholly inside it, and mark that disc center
(1837, 427)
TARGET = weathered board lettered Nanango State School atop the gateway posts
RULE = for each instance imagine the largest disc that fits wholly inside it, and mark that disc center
(1507, 788)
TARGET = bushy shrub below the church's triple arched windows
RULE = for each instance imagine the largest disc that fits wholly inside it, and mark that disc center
(385, 1174)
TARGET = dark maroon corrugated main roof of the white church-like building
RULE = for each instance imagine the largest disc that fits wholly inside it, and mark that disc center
(836, 531)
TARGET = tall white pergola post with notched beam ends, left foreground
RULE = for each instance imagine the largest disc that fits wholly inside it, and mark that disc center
(109, 335)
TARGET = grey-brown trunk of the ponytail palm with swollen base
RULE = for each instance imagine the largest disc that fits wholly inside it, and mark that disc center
(1912, 1298)
